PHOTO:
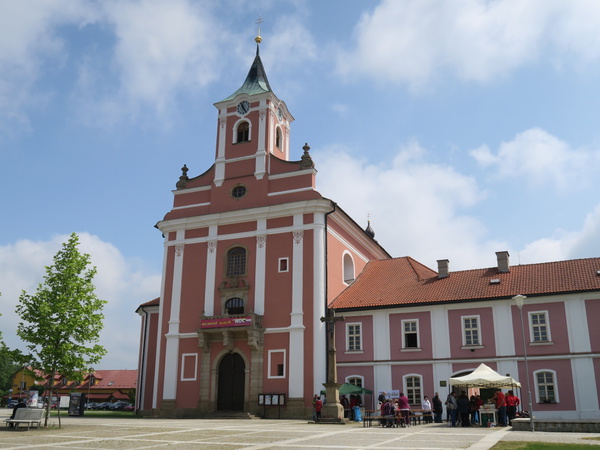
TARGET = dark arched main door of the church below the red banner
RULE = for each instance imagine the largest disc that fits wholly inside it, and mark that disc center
(232, 379)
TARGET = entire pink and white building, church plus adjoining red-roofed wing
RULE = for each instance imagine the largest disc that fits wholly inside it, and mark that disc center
(254, 256)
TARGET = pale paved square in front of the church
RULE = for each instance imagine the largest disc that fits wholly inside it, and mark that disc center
(134, 433)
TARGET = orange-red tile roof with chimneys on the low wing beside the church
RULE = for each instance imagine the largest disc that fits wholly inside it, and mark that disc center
(404, 281)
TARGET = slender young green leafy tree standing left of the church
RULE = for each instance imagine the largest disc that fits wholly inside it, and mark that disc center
(61, 322)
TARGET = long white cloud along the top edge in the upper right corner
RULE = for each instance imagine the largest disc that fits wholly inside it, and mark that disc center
(415, 42)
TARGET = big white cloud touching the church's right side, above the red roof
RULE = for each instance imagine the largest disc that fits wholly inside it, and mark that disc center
(417, 208)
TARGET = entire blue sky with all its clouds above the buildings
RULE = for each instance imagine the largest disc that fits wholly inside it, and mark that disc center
(460, 127)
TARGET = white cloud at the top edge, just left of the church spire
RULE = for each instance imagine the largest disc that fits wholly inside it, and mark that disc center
(162, 49)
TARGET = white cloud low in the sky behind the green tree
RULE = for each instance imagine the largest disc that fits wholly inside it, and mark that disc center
(124, 283)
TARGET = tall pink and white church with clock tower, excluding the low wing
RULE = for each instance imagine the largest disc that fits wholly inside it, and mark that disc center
(252, 256)
